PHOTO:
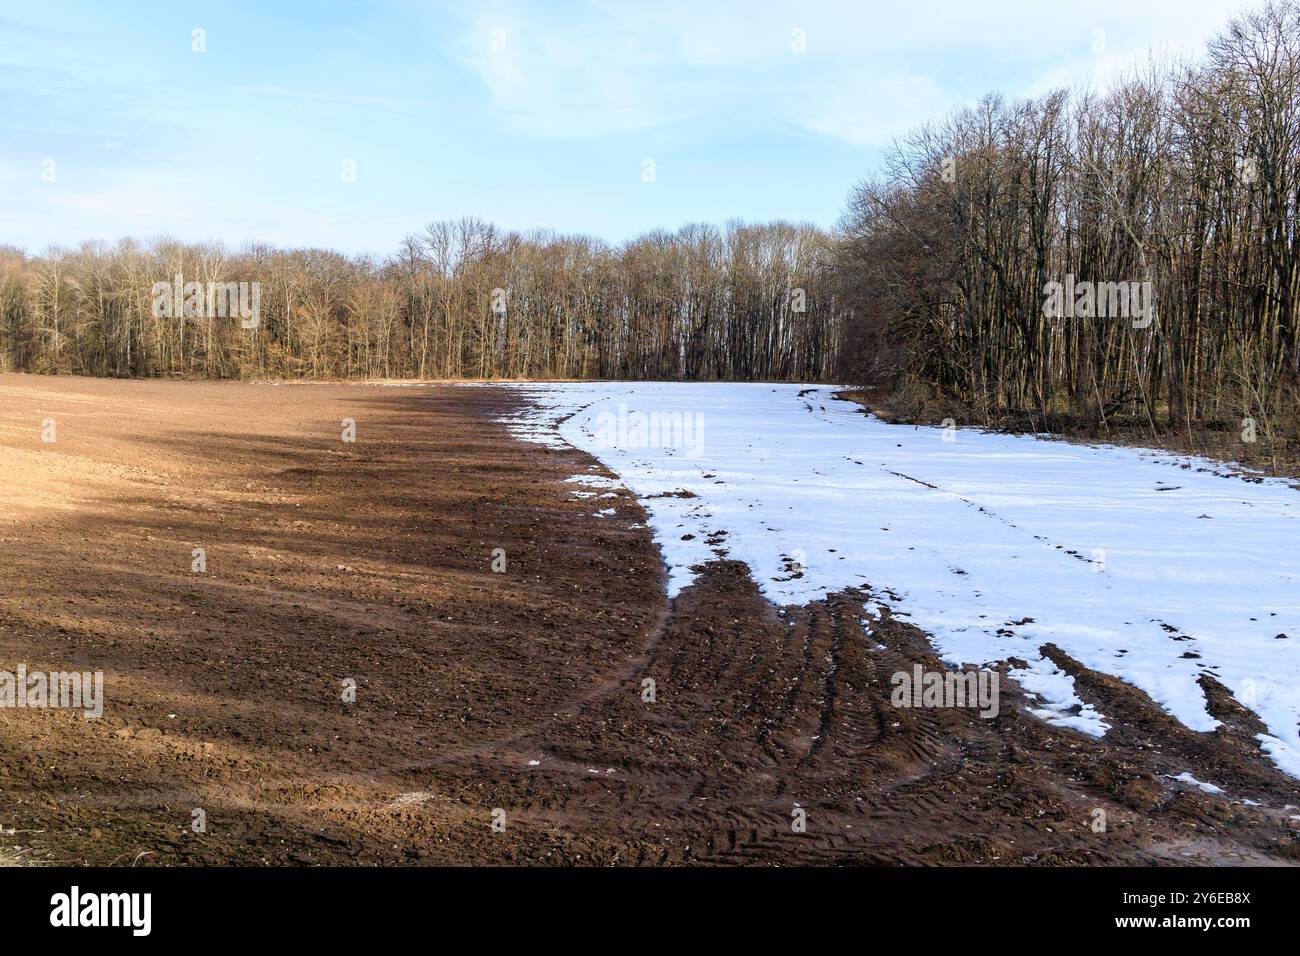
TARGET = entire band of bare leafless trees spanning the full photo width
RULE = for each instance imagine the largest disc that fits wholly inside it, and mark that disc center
(1169, 200)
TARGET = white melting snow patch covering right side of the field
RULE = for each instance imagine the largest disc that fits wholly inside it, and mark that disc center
(1141, 565)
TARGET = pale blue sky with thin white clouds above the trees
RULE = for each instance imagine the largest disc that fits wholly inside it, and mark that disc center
(350, 126)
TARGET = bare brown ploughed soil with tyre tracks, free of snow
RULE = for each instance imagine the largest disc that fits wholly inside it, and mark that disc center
(476, 691)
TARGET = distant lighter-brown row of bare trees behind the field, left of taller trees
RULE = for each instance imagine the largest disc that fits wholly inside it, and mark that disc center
(461, 300)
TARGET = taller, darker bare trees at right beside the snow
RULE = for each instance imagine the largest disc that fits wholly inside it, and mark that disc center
(1181, 183)
